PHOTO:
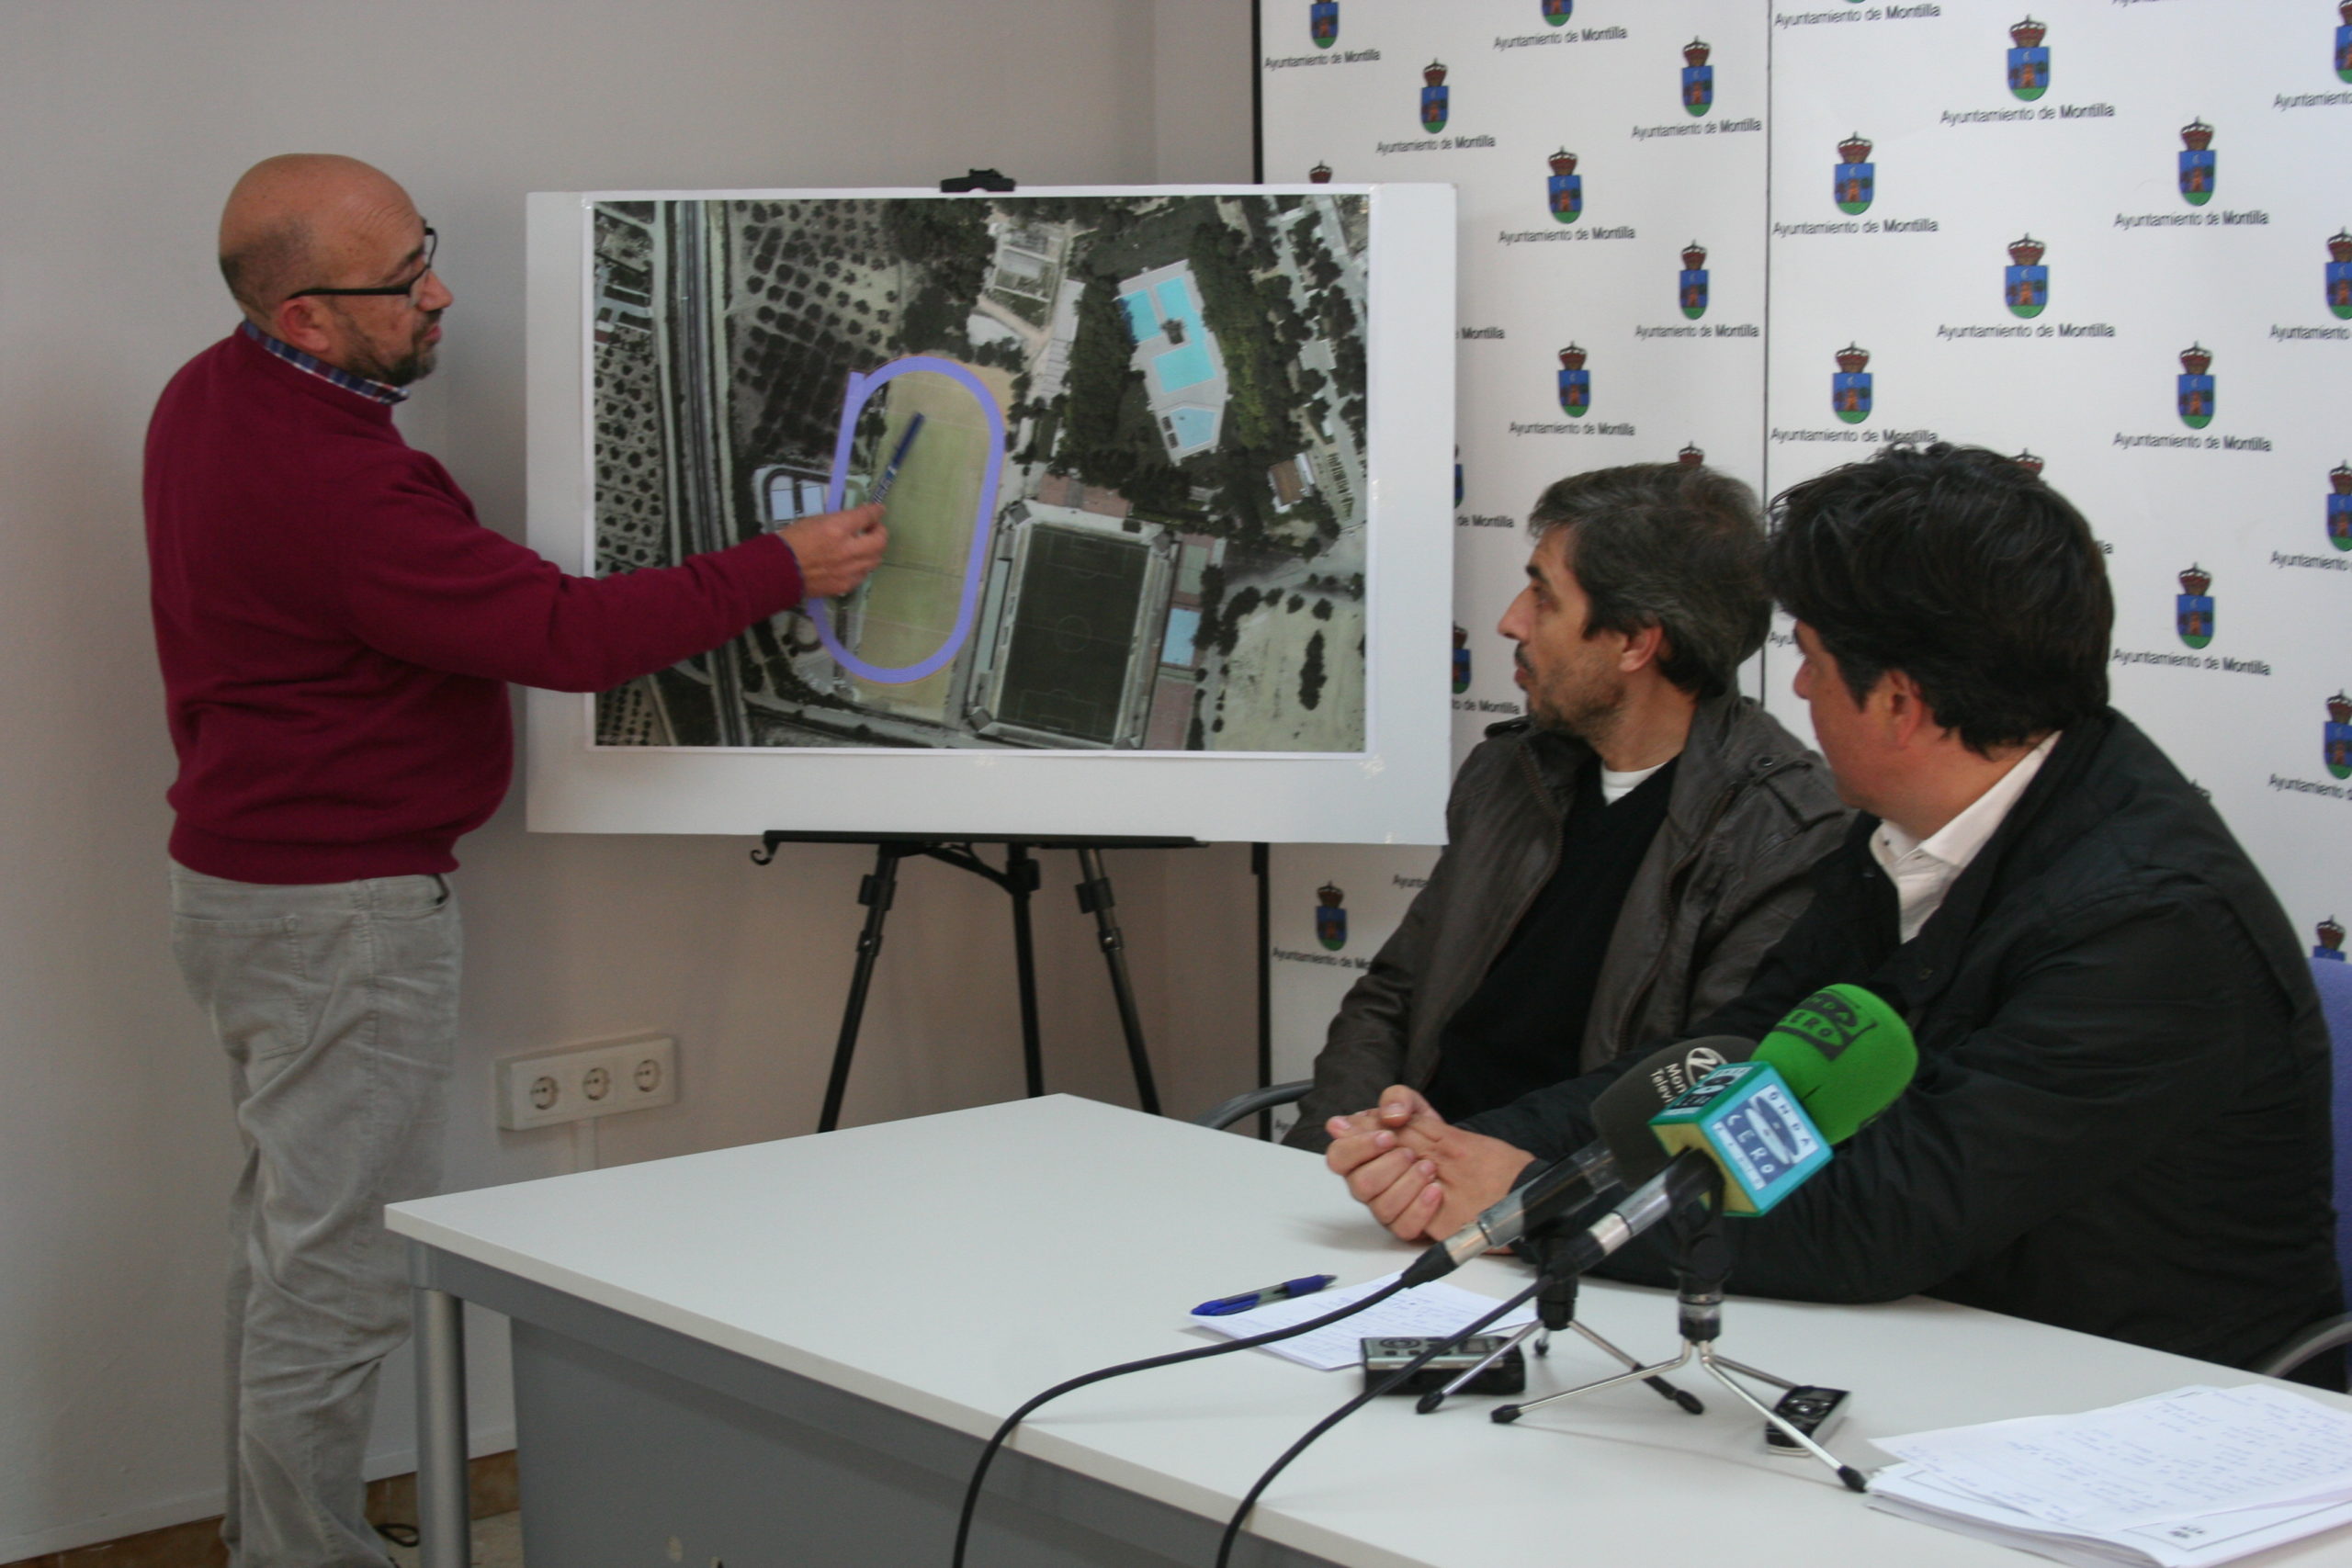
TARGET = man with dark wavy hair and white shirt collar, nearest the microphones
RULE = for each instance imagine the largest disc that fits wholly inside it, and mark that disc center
(2120, 1120)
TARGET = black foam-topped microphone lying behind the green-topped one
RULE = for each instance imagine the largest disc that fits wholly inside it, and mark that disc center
(1626, 1151)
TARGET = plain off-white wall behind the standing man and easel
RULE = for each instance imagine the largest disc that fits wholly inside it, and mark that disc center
(126, 123)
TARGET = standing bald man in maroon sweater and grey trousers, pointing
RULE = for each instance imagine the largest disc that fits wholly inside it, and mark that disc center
(338, 634)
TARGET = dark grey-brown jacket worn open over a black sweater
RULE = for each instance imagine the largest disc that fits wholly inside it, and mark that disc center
(1751, 812)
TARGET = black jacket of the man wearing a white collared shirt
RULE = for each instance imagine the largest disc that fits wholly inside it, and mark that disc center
(2120, 1120)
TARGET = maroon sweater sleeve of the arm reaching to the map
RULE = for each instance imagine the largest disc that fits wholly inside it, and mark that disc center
(425, 582)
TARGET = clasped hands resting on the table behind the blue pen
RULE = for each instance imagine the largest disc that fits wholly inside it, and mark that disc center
(1417, 1174)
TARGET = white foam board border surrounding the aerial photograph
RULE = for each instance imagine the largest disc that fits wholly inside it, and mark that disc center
(1391, 793)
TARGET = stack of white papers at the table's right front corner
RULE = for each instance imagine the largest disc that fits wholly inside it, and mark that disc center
(2174, 1482)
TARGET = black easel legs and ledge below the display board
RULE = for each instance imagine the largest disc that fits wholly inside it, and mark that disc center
(1020, 880)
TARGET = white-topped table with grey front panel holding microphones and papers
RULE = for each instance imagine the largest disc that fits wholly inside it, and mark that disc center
(789, 1355)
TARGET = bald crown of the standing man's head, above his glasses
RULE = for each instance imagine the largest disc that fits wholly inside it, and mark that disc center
(307, 220)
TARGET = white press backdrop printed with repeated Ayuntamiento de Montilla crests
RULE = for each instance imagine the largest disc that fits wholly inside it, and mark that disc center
(1986, 128)
